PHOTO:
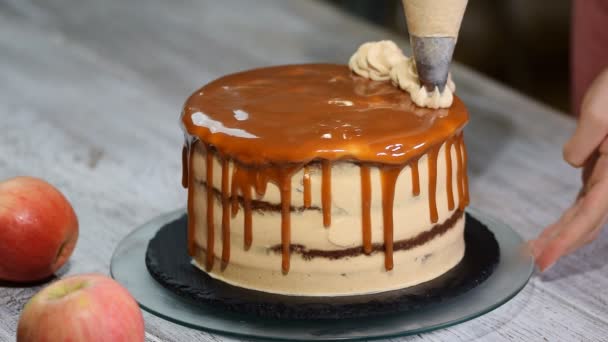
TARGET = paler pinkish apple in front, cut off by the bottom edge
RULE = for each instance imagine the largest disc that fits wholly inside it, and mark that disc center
(89, 307)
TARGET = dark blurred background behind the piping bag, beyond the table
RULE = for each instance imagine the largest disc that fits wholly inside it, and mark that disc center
(522, 43)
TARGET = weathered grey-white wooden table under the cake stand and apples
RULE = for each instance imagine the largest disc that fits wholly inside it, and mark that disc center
(90, 93)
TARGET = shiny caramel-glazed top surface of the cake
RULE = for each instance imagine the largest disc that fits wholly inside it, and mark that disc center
(298, 113)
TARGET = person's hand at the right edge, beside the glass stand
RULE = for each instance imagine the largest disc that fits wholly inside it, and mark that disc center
(588, 148)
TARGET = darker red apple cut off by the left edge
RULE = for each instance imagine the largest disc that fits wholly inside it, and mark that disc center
(38, 229)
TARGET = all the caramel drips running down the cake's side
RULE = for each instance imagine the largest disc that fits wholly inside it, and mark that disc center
(244, 179)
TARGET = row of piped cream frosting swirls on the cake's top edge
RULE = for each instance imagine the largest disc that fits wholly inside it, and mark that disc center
(383, 60)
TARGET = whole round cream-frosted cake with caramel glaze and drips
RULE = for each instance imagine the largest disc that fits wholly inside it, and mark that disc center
(311, 180)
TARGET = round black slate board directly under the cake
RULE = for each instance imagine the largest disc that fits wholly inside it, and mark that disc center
(168, 263)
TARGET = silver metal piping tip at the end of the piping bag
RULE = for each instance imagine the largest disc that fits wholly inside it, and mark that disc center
(433, 56)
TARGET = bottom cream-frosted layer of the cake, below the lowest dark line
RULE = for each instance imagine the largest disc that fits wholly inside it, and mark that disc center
(345, 276)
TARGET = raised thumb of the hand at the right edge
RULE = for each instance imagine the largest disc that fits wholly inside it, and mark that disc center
(592, 128)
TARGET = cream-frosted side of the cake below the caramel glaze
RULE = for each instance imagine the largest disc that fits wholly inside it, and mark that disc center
(333, 260)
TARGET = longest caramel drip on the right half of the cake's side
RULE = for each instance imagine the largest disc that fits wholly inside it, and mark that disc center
(389, 175)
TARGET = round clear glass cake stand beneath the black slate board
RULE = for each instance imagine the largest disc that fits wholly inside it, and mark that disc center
(510, 276)
